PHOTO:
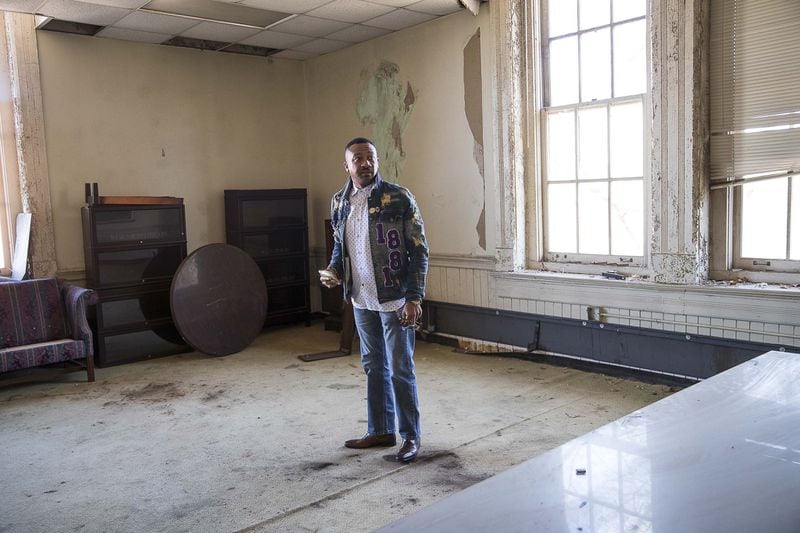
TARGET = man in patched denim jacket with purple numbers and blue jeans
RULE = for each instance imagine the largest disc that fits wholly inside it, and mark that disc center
(381, 254)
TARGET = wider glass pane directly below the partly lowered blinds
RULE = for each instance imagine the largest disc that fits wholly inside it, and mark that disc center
(764, 219)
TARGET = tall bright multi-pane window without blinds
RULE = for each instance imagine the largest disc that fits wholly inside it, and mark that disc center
(595, 82)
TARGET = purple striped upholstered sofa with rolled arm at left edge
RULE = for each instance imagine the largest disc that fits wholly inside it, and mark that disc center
(43, 322)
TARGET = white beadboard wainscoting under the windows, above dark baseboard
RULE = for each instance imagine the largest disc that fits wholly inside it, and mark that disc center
(764, 315)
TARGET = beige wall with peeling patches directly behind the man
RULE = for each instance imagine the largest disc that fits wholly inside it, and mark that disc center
(440, 167)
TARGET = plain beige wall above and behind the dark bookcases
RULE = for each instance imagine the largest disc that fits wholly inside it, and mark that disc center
(143, 119)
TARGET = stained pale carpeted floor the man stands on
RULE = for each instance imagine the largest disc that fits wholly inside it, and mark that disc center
(253, 441)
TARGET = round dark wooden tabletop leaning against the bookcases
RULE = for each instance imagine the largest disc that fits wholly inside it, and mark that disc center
(218, 299)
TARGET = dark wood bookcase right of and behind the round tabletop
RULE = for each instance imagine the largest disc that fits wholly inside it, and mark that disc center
(271, 225)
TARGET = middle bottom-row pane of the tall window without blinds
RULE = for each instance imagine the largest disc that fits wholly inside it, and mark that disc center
(593, 218)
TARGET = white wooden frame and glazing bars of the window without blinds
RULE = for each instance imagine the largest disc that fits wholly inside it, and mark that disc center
(538, 255)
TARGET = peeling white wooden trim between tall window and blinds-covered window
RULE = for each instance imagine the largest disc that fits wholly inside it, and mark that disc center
(679, 163)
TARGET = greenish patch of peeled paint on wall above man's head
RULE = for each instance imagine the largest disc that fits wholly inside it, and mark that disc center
(385, 104)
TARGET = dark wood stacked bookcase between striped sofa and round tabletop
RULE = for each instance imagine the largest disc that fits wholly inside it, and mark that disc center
(131, 254)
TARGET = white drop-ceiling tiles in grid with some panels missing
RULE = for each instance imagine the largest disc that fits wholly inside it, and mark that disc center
(313, 27)
